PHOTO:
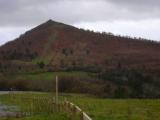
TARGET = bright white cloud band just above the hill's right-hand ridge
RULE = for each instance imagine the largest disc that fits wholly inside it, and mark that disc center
(145, 28)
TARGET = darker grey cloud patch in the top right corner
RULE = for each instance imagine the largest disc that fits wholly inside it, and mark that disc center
(147, 7)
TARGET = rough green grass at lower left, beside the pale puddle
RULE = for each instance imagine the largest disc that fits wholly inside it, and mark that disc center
(33, 106)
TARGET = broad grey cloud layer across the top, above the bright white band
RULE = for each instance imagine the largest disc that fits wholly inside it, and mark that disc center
(31, 12)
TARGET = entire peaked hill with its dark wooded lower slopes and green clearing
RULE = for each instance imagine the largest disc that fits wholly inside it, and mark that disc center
(99, 63)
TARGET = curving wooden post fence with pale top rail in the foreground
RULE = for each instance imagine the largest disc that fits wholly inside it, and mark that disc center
(49, 105)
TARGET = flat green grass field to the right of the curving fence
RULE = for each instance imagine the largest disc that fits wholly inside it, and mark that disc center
(104, 109)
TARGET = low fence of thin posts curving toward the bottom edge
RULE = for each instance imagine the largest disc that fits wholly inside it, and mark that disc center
(41, 105)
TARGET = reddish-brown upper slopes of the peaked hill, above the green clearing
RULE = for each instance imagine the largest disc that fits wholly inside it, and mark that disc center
(62, 46)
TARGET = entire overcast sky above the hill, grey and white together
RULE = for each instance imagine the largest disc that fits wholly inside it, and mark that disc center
(127, 17)
